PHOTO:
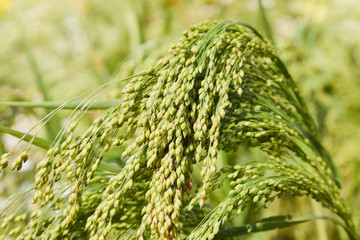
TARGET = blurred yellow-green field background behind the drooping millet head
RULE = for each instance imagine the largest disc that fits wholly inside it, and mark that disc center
(55, 50)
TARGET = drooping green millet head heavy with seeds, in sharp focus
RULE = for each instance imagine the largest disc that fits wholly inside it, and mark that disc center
(220, 87)
